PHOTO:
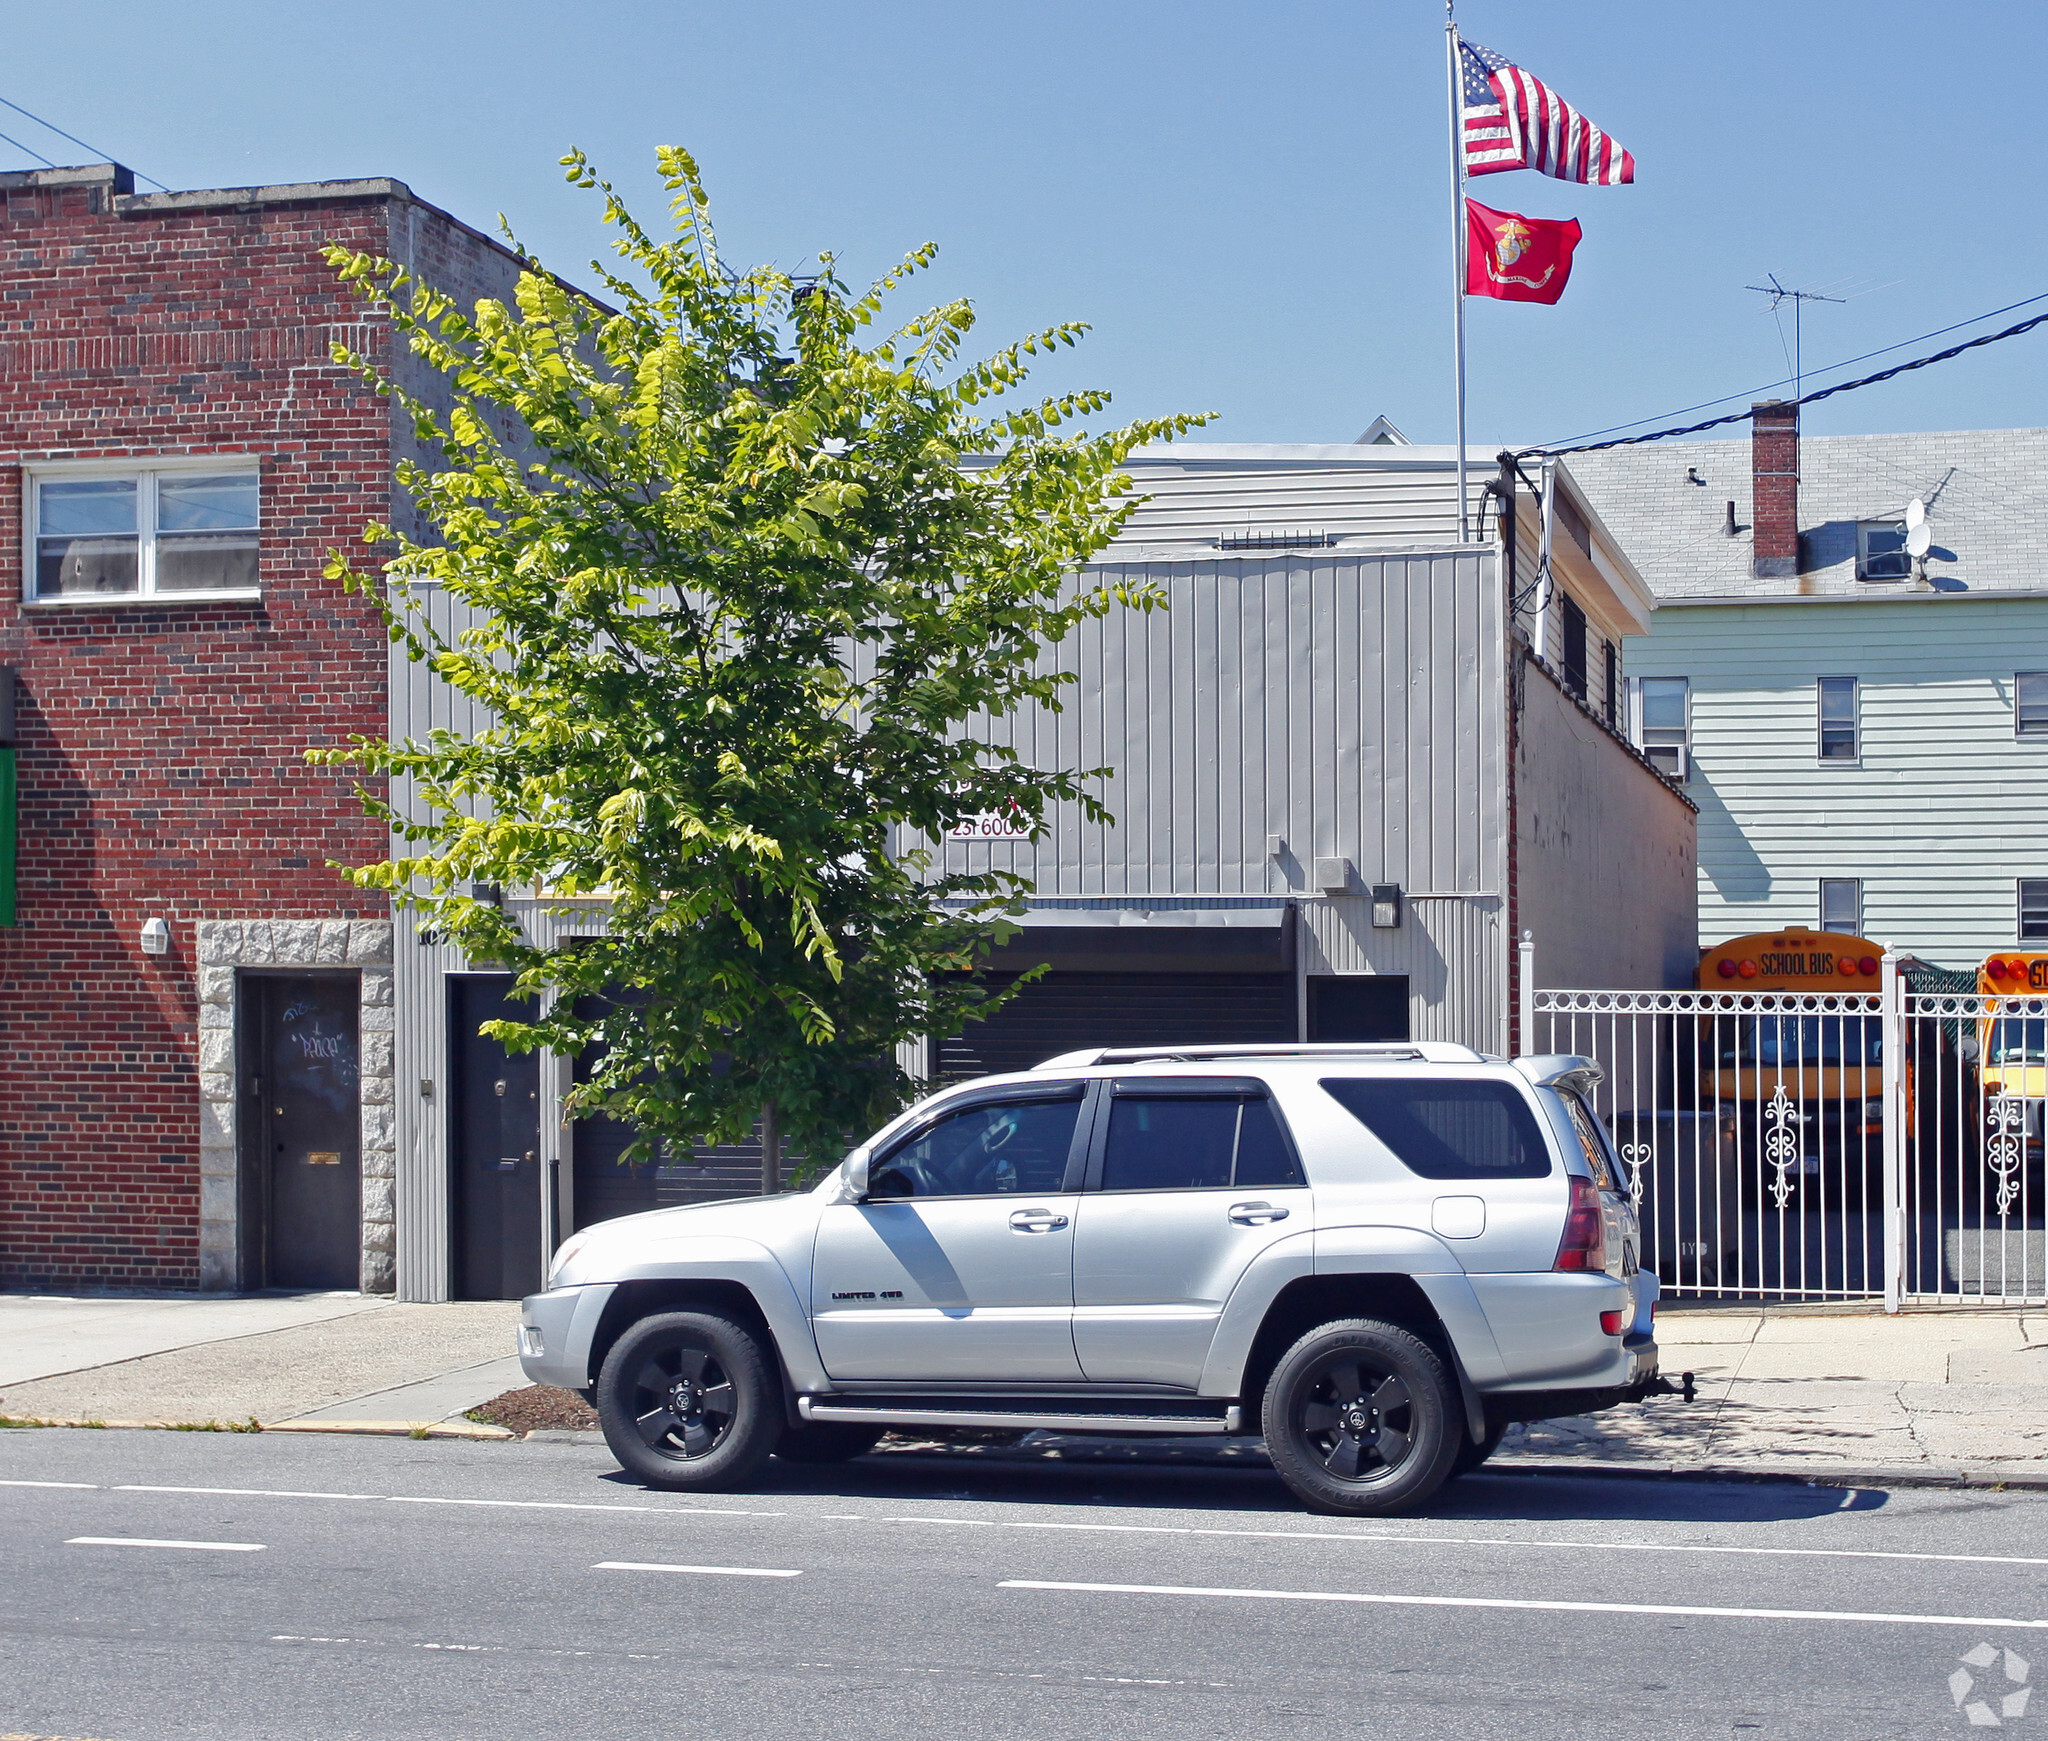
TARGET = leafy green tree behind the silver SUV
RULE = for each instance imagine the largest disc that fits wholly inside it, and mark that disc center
(746, 568)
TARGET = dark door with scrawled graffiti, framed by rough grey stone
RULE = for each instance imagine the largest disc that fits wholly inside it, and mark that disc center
(302, 1160)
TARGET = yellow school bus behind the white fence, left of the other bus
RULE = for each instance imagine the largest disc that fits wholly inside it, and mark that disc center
(1830, 1064)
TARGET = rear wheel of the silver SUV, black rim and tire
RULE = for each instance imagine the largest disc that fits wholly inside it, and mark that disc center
(1361, 1418)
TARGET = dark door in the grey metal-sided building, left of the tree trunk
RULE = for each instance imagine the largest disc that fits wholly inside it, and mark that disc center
(495, 1148)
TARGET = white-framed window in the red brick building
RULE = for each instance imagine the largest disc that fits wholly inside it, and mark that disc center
(159, 529)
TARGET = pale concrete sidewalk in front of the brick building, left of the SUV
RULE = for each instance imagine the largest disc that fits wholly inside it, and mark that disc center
(310, 1361)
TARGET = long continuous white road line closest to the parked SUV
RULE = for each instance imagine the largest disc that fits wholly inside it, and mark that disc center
(1385, 1537)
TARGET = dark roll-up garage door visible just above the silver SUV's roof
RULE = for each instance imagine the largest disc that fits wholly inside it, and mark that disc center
(1064, 1013)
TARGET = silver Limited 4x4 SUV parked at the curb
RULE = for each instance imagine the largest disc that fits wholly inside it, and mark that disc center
(1375, 1257)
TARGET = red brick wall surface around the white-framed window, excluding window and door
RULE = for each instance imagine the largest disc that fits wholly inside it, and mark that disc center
(163, 745)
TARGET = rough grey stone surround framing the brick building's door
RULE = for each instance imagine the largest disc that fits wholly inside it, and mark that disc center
(228, 945)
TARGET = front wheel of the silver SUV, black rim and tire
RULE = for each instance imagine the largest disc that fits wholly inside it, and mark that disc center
(691, 1400)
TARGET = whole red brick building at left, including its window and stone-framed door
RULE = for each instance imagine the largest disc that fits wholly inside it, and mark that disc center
(196, 1013)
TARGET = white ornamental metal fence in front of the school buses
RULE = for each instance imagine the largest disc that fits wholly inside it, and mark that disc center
(1824, 1146)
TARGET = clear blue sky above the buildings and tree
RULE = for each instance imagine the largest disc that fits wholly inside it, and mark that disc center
(1250, 204)
